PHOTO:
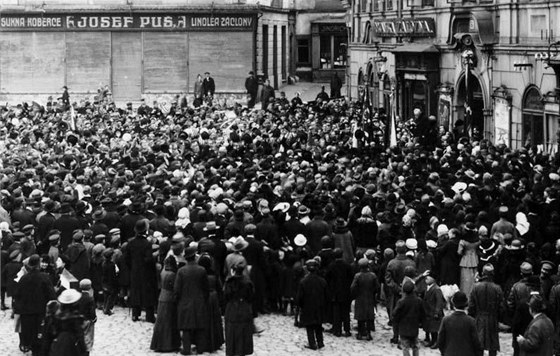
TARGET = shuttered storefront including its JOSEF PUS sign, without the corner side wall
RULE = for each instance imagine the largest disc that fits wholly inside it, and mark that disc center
(135, 54)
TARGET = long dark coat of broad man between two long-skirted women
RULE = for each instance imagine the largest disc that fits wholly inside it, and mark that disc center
(191, 292)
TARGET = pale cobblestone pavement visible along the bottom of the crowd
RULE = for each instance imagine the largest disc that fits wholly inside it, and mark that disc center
(117, 335)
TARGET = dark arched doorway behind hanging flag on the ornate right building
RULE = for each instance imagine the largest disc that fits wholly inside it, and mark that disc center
(476, 105)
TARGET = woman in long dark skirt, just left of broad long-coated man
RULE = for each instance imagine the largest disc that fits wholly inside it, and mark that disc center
(166, 336)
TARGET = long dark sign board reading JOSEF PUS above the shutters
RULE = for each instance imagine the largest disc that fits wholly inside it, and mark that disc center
(128, 22)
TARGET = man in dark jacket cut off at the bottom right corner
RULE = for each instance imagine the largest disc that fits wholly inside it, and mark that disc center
(538, 338)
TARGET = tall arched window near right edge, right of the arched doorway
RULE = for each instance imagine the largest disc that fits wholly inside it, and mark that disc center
(533, 118)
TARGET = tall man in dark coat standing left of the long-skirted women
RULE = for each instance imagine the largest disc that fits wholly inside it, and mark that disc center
(143, 276)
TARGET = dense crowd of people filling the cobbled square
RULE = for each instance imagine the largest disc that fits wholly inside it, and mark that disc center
(205, 217)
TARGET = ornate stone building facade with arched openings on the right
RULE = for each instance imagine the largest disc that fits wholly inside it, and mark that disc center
(486, 64)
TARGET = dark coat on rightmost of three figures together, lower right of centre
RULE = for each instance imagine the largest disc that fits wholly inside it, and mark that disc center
(365, 287)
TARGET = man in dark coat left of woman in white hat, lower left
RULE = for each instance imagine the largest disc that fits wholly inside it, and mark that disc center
(33, 292)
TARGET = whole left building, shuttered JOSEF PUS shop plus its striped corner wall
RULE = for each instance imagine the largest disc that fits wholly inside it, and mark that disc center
(140, 48)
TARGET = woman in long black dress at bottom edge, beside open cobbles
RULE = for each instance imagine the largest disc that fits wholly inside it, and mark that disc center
(238, 294)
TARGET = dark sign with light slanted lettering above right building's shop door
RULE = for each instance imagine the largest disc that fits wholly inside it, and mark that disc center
(419, 27)
